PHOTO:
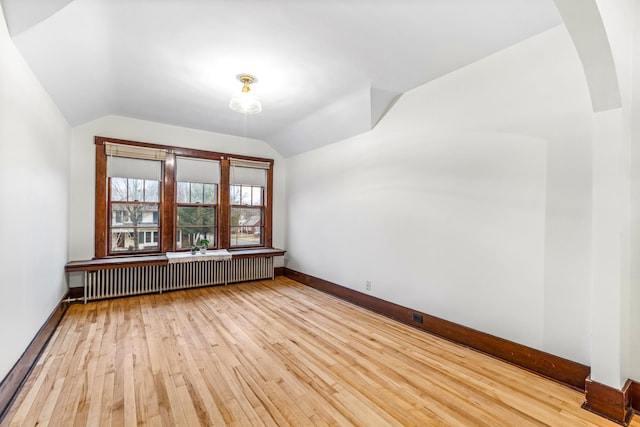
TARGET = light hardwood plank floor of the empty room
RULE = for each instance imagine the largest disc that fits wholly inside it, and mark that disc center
(272, 353)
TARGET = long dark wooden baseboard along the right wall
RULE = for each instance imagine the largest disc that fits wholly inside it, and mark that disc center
(564, 371)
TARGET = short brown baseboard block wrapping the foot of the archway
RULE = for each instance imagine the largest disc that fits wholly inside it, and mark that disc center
(609, 402)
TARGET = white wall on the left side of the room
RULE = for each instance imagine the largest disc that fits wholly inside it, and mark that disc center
(34, 162)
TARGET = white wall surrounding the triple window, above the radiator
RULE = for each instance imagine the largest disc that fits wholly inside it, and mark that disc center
(81, 216)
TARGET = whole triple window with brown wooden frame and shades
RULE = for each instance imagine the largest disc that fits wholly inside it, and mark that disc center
(154, 199)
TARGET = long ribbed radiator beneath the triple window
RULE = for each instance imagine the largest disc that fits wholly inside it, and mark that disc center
(125, 281)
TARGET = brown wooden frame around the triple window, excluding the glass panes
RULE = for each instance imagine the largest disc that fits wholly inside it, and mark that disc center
(167, 226)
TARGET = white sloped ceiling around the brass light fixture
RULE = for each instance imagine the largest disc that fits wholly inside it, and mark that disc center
(326, 69)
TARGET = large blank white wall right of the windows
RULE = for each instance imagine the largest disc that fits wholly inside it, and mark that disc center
(469, 201)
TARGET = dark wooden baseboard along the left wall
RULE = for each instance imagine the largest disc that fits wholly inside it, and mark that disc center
(13, 382)
